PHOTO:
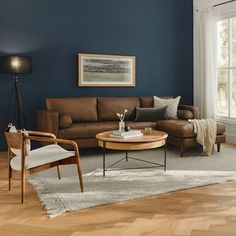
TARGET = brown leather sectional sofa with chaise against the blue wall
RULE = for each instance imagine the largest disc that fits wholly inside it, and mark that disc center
(80, 119)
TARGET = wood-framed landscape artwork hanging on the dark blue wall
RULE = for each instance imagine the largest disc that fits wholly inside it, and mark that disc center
(106, 70)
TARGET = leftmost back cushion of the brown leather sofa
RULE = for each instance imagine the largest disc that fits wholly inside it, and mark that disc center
(82, 109)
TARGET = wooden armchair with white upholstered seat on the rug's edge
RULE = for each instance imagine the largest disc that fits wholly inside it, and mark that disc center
(41, 158)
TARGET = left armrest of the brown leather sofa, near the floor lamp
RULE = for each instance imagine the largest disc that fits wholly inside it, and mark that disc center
(48, 121)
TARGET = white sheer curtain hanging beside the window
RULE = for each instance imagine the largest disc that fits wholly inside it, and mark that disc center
(204, 64)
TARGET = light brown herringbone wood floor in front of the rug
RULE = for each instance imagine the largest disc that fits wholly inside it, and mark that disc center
(205, 211)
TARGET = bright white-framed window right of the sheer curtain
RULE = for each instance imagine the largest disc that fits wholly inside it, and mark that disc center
(226, 67)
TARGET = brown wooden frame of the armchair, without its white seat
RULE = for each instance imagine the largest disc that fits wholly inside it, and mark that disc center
(18, 141)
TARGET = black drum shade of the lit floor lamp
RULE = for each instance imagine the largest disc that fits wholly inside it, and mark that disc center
(15, 65)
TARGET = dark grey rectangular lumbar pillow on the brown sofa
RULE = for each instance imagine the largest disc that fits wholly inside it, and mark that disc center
(150, 114)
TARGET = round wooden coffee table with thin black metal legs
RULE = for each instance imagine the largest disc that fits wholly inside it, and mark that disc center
(148, 141)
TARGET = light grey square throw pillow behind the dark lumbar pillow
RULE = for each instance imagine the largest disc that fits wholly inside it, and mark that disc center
(171, 111)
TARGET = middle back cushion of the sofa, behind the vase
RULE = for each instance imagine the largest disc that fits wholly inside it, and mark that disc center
(109, 106)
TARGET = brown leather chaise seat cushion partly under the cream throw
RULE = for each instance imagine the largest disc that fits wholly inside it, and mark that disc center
(182, 128)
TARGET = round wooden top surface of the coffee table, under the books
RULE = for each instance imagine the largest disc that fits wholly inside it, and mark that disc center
(154, 136)
